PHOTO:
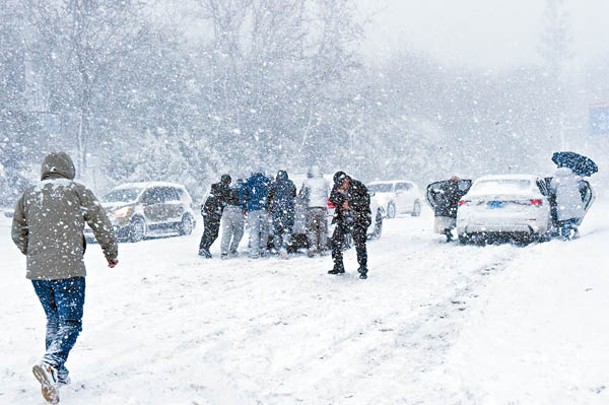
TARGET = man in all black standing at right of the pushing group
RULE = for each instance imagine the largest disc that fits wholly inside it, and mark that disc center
(351, 215)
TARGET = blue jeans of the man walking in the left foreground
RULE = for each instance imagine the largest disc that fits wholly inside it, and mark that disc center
(63, 302)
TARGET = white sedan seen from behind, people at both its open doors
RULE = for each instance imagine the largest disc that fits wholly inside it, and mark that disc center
(515, 207)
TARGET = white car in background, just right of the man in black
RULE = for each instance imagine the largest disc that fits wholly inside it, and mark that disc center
(397, 197)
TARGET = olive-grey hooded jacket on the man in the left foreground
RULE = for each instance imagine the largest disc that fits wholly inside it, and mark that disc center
(49, 221)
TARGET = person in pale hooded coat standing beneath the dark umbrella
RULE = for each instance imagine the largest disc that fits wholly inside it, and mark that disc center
(569, 205)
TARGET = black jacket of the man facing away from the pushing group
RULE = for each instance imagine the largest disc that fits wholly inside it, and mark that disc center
(359, 203)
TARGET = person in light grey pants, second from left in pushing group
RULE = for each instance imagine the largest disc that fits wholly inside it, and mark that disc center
(233, 221)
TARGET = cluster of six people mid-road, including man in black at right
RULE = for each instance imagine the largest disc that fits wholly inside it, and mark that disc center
(268, 205)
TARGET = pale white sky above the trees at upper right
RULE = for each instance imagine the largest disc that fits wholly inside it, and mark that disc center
(485, 33)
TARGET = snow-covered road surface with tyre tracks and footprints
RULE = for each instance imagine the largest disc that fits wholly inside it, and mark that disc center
(435, 323)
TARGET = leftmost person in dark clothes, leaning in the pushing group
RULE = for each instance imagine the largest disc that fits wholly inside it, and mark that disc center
(212, 214)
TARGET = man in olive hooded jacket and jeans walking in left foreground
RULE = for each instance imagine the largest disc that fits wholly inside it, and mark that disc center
(48, 225)
